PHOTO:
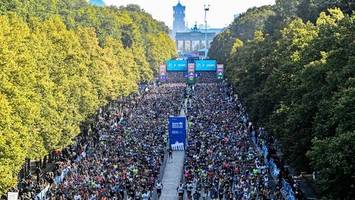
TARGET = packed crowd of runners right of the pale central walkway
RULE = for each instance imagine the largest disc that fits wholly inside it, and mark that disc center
(222, 162)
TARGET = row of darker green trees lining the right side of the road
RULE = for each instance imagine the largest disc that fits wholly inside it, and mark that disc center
(296, 76)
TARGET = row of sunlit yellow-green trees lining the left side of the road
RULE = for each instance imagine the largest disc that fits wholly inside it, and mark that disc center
(60, 60)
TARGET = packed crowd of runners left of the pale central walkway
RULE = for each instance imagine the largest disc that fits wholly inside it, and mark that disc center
(121, 154)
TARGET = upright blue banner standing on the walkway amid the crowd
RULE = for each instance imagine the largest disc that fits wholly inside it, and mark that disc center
(177, 132)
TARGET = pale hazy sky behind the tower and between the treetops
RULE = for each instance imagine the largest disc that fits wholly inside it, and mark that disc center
(221, 11)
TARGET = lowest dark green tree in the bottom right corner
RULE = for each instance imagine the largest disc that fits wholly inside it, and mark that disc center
(334, 159)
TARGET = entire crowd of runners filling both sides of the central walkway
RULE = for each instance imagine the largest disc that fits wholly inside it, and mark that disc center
(120, 156)
